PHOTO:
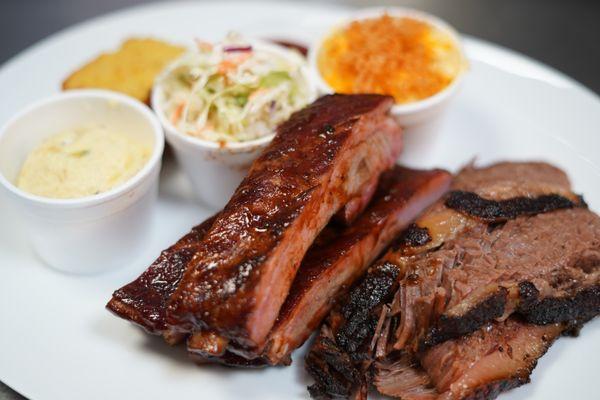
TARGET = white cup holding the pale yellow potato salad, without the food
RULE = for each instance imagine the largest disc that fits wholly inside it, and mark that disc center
(83, 235)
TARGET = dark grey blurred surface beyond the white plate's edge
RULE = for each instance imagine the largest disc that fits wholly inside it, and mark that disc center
(562, 33)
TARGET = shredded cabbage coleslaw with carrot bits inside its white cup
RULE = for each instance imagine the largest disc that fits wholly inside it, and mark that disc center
(232, 92)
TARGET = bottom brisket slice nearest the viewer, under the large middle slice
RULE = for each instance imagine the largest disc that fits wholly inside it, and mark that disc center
(493, 359)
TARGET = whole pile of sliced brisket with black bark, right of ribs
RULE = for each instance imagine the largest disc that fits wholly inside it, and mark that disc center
(509, 239)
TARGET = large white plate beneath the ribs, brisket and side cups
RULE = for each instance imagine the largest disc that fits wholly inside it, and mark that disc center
(58, 342)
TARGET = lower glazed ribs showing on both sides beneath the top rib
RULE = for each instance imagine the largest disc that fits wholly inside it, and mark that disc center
(338, 257)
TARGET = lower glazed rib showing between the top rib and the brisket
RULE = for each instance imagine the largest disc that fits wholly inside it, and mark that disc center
(337, 258)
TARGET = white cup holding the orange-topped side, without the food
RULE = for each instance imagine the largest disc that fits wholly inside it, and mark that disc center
(411, 115)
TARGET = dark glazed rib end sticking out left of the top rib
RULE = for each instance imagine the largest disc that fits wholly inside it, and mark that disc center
(143, 301)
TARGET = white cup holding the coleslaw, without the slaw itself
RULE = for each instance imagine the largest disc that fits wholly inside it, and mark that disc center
(223, 167)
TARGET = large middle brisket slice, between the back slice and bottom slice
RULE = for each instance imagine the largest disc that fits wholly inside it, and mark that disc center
(545, 267)
